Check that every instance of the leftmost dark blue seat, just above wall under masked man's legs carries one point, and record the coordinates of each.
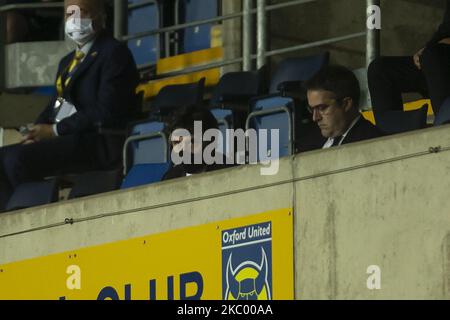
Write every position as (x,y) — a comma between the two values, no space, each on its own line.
(33,194)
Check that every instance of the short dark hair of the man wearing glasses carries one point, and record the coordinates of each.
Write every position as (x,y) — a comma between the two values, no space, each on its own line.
(337,79)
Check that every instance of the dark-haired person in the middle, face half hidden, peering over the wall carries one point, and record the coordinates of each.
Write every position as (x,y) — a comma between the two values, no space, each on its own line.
(183,138)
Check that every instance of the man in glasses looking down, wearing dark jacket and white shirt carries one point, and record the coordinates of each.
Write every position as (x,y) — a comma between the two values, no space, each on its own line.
(333,99)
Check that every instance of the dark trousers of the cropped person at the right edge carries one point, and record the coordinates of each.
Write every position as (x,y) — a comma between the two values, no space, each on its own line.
(389,77)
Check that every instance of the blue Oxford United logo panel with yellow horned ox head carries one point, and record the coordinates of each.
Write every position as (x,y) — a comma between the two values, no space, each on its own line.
(247,263)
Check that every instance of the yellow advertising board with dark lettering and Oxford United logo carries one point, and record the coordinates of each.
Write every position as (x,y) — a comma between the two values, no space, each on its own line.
(245,258)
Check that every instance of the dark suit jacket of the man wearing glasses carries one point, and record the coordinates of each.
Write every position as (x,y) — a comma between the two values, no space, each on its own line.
(362,130)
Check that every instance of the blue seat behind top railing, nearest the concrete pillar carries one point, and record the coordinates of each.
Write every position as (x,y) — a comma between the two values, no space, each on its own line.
(199,37)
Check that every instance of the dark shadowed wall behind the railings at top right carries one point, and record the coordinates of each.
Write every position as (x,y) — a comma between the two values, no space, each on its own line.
(406,26)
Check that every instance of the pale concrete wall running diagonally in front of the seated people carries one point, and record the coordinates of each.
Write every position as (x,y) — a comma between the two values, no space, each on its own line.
(383,202)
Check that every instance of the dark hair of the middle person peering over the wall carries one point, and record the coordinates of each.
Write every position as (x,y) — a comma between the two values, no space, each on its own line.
(185,118)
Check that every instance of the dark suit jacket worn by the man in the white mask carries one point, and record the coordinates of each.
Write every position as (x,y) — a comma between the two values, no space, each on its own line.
(102,89)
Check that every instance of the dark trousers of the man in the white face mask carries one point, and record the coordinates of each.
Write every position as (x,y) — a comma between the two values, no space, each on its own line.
(61,155)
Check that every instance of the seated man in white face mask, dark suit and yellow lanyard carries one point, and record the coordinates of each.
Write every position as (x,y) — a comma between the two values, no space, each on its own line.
(96,87)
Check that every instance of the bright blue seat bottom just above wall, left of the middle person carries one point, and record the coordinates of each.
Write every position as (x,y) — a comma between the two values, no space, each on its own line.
(143,174)
